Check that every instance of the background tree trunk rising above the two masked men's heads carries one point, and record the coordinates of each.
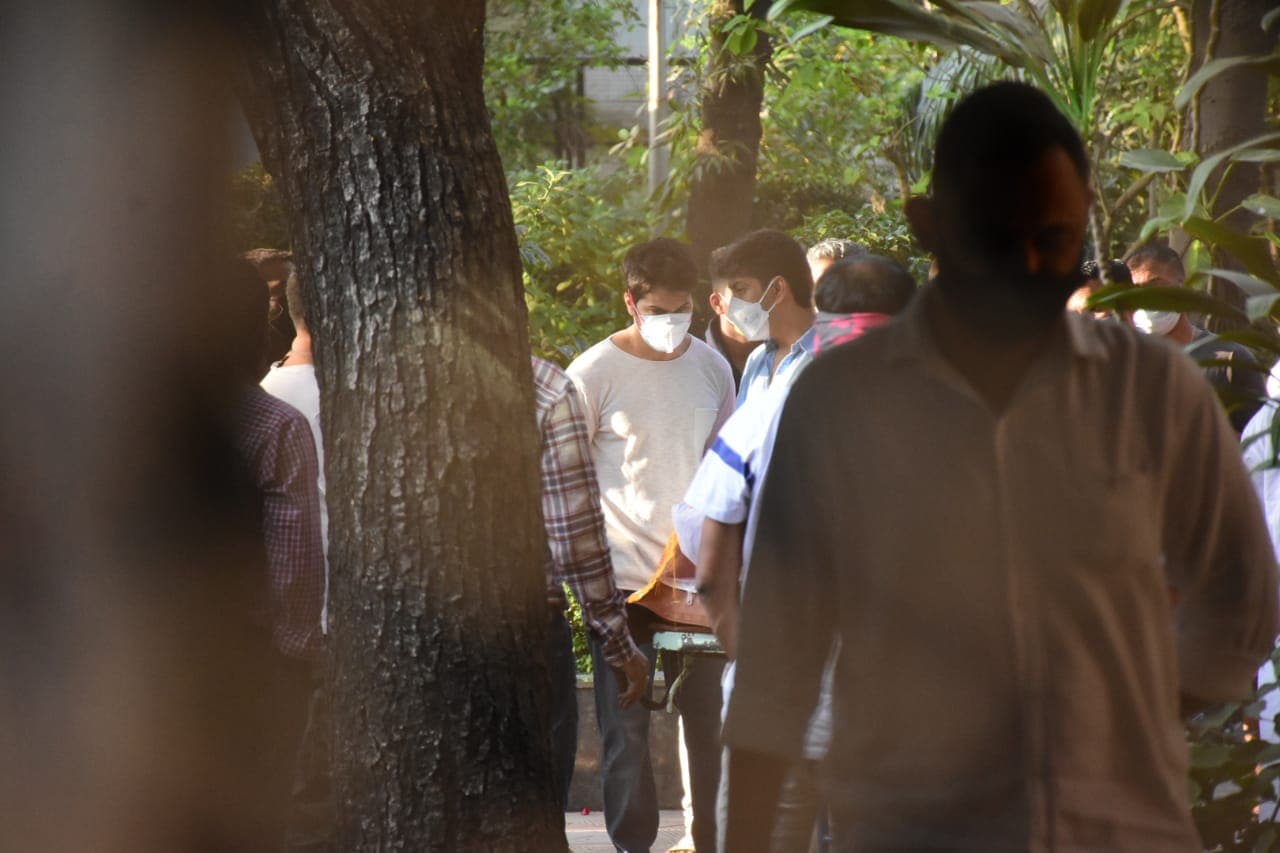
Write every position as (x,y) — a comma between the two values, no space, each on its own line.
(729,147)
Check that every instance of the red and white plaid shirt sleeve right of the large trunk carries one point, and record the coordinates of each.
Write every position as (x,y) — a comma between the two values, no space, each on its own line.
(575,523)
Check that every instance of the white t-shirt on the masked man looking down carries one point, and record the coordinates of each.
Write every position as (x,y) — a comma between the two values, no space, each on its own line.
(650,423)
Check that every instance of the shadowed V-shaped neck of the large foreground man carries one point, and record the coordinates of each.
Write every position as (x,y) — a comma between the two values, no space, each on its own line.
(994,366)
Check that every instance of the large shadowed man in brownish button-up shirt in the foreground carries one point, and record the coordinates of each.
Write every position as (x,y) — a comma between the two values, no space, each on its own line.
(1012,498)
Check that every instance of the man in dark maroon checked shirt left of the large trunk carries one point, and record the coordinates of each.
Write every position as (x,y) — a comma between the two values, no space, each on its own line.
(278,450)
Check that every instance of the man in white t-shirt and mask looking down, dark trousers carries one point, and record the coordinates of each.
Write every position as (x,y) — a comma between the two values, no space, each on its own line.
(655,399)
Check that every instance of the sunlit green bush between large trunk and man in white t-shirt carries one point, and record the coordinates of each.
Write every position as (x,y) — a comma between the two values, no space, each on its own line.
(575,227)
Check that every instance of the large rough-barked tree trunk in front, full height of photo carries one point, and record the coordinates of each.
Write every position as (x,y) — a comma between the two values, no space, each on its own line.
(372,116)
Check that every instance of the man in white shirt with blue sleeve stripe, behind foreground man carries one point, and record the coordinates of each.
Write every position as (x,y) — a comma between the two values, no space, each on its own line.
(853,297)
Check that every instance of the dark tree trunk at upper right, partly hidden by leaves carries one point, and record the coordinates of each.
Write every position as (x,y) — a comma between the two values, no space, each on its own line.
(1232,107)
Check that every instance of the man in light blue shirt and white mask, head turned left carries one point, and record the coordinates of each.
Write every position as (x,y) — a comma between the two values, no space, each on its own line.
(767,276)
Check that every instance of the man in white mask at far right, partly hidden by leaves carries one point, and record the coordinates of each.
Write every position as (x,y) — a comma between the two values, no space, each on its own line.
(1229,367)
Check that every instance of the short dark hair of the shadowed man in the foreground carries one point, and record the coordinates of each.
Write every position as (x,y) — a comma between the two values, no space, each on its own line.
(999,131)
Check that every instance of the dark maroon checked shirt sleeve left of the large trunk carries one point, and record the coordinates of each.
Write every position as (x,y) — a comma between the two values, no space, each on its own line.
(287,472)
